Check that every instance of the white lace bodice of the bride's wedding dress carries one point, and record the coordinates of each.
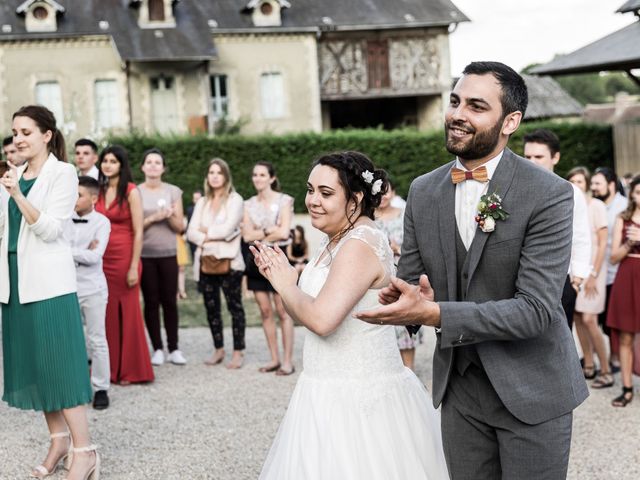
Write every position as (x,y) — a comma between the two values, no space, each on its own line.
(355,349)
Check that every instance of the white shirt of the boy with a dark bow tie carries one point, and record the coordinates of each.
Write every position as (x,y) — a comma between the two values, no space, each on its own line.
(89,274)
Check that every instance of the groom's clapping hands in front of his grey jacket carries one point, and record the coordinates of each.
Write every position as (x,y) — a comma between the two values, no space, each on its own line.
(413,306)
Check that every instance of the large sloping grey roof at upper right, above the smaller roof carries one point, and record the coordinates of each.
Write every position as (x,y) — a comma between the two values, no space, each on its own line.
(617,51)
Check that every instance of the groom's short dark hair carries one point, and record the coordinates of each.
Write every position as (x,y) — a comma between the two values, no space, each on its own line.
(514,90)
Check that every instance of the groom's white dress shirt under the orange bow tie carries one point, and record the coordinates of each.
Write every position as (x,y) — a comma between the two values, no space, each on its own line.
(468,195)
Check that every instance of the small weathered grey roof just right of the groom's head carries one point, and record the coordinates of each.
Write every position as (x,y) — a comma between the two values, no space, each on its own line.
(547,99)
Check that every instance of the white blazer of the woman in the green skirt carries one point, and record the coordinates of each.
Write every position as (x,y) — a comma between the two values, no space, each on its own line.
(45,263)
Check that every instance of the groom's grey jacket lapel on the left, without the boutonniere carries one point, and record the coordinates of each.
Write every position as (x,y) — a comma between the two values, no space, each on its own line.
(446,193)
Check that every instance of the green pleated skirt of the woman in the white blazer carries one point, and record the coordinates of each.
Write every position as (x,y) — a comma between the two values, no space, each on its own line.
(45,358)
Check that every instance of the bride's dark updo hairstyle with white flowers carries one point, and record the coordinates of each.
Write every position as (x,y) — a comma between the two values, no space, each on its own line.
(357,174)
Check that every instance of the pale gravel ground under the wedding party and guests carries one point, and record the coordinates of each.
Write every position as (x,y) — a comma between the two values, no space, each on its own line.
(199,422)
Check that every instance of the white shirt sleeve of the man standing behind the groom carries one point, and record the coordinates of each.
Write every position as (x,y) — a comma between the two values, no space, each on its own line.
(580,265)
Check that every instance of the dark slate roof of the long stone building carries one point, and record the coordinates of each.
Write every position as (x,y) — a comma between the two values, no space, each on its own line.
(196,20)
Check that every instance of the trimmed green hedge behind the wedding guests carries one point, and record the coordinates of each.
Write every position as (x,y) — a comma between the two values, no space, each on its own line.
(405,154)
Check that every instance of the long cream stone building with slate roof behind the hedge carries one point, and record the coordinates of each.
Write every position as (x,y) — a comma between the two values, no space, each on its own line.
(183,65)
